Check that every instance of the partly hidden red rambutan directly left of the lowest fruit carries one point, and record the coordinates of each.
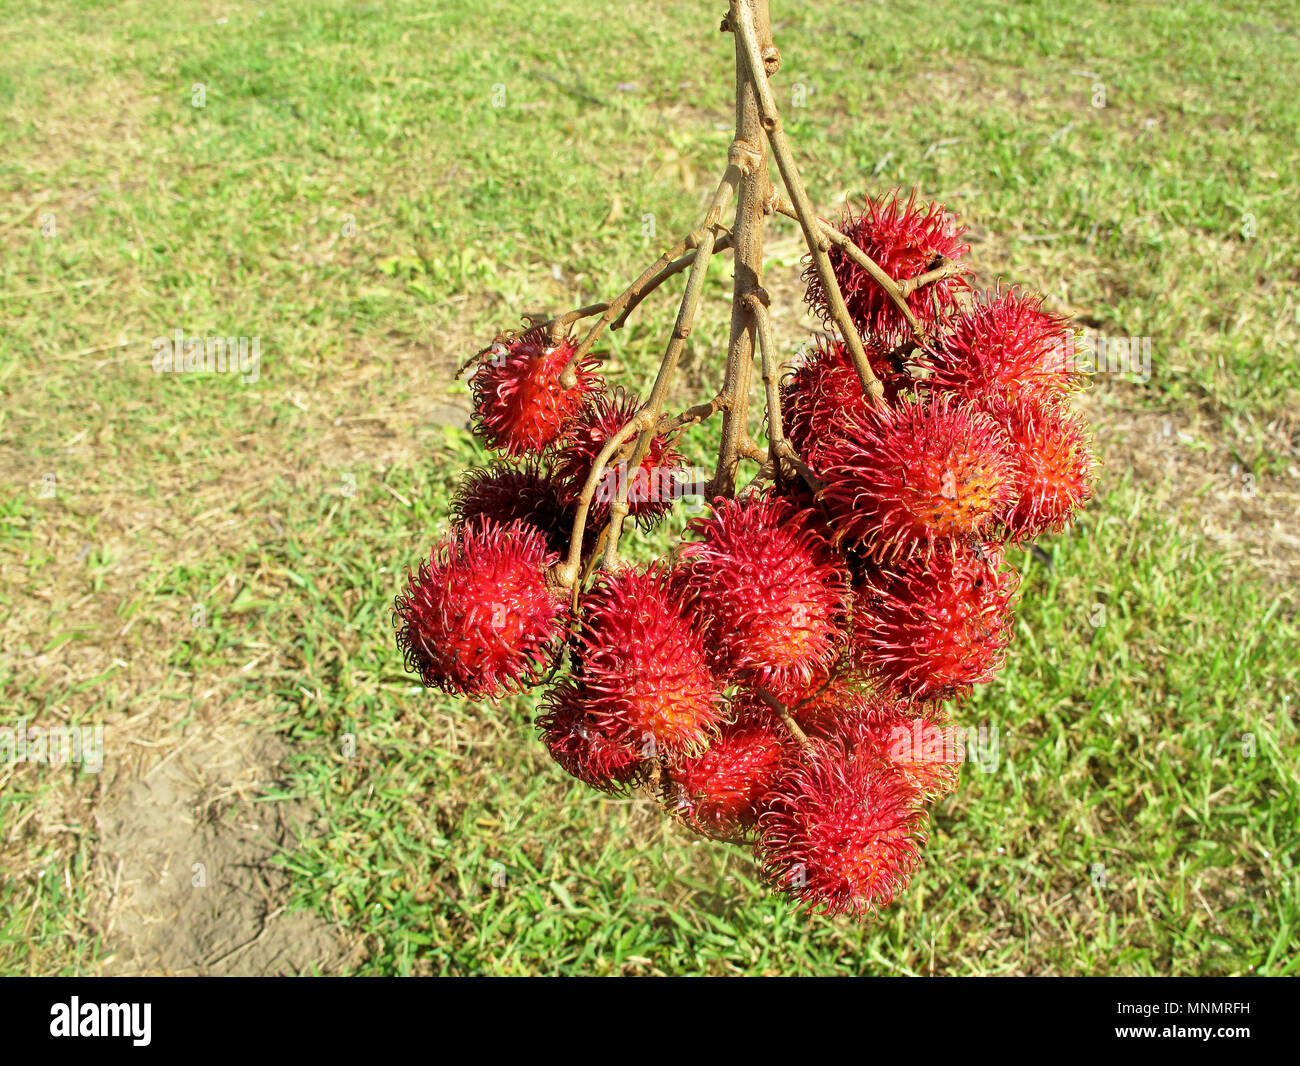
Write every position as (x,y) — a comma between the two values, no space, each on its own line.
(721,792)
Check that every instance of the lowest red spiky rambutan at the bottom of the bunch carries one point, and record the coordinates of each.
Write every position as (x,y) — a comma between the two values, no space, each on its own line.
(842,833)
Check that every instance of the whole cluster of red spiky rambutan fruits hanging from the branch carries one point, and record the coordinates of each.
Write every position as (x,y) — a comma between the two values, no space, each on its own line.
(786,681)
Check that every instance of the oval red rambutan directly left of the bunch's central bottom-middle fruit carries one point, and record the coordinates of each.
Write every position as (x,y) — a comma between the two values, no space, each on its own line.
(643,665)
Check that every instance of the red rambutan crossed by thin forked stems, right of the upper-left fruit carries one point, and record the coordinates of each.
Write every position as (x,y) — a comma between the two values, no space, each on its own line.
(651,489)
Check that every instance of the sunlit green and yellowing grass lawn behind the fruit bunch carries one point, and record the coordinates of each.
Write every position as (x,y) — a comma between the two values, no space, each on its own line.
(352,196)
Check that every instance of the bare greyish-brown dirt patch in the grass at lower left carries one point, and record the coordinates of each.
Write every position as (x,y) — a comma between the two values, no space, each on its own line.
(189,856)
